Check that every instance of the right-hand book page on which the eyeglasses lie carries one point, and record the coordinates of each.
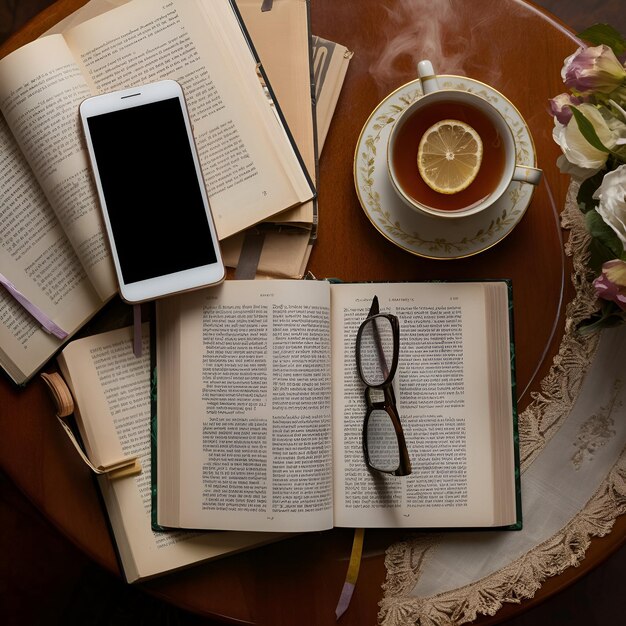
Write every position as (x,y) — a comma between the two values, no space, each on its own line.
(443,399)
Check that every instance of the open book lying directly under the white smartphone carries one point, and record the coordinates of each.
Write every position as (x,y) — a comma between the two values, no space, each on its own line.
(52,248)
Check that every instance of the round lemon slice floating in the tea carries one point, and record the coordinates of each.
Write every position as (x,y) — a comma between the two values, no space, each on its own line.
(449,156)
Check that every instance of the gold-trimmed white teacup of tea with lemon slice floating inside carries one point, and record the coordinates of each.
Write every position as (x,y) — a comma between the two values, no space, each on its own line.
(451,153)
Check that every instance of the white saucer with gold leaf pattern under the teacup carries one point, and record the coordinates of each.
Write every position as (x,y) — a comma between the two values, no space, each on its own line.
(420,234)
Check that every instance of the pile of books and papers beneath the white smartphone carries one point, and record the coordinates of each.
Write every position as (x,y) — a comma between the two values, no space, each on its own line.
(53,254)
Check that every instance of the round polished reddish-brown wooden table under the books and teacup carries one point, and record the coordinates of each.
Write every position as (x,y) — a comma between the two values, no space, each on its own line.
(519,50)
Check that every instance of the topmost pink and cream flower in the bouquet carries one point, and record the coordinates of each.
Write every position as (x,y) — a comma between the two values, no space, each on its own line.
(593,69)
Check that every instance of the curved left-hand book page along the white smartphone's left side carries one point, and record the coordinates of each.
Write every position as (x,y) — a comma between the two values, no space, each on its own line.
(40,90)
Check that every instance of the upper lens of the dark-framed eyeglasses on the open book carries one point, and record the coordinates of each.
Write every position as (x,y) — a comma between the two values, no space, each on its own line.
(376,350)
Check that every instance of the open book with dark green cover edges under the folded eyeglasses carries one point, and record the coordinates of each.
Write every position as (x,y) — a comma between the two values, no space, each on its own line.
(260,409)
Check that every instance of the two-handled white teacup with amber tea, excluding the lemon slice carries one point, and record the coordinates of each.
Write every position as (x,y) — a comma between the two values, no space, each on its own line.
(497,170)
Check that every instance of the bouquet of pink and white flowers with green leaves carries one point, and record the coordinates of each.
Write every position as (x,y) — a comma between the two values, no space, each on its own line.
(590,128)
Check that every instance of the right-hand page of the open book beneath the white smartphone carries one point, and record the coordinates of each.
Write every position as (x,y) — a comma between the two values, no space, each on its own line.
(250,168)
